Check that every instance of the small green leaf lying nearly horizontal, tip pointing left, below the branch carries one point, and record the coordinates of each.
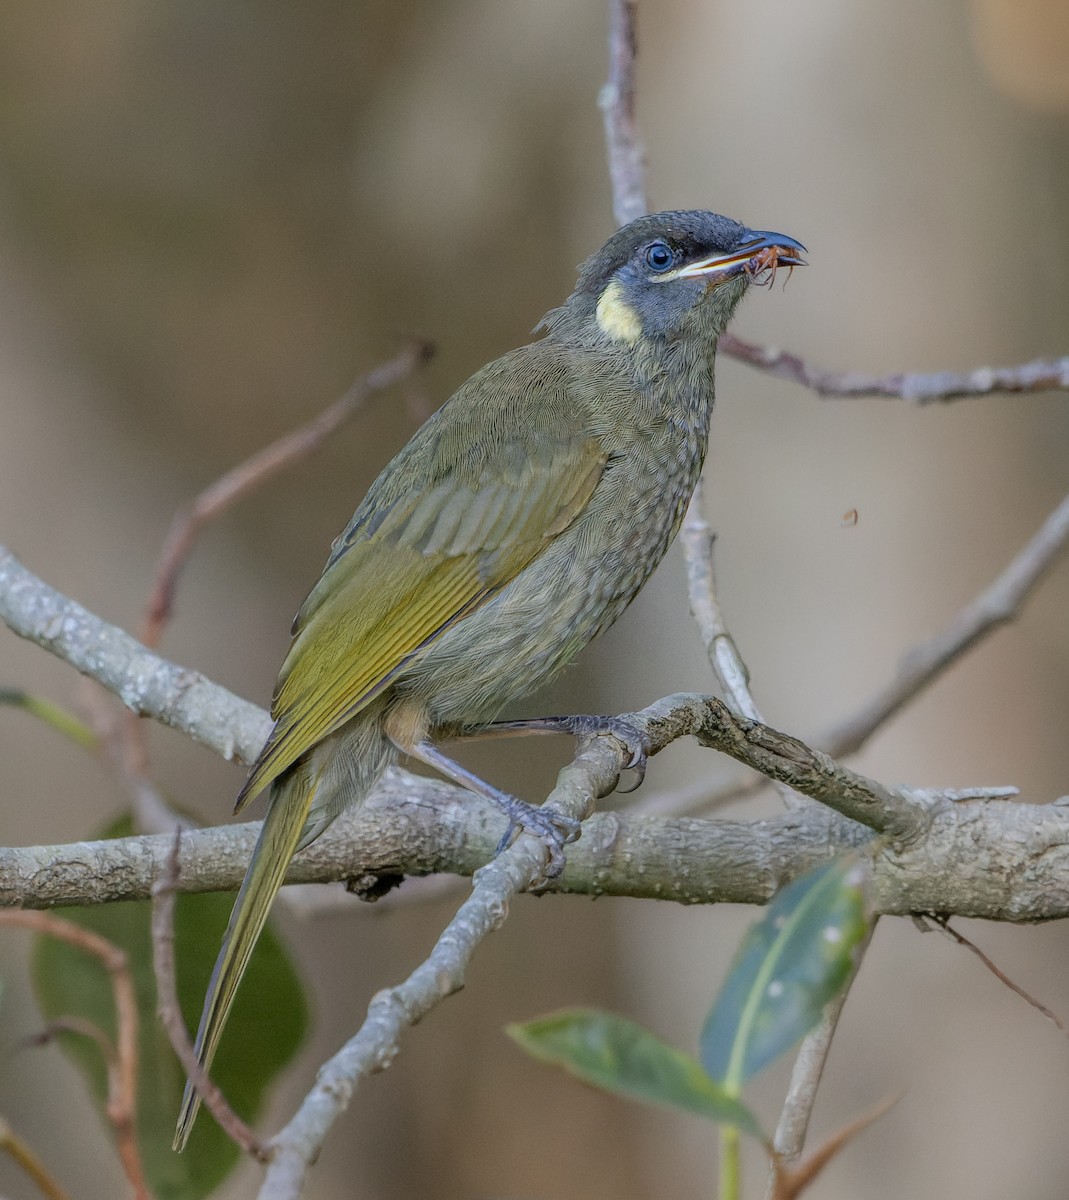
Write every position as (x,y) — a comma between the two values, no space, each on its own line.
(622,1058)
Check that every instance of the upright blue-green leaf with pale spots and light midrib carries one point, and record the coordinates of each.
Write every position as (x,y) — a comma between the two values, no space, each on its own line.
(788,969)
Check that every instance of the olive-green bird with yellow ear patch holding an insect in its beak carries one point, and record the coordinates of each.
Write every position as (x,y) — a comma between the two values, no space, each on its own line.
(515,526)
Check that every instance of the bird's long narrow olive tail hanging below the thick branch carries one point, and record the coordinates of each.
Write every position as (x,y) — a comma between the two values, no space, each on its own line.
(279,841)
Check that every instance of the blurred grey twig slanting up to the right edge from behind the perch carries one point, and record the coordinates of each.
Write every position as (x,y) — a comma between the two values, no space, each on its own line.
(996,605)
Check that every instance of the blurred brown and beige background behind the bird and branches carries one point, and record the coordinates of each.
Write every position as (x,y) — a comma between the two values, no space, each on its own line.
(213,217)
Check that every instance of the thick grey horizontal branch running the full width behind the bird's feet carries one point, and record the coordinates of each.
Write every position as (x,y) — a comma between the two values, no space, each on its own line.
(996,860)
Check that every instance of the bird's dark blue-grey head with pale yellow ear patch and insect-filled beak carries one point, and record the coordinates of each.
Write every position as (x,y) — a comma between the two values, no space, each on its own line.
(674,272)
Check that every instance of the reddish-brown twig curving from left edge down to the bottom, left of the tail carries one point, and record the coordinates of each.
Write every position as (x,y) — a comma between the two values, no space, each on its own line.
(122,1105)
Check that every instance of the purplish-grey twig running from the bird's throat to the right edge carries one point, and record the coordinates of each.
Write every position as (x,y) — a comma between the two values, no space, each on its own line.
(1042,375)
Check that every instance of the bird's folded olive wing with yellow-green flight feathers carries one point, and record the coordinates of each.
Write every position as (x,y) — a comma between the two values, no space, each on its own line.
(411,566)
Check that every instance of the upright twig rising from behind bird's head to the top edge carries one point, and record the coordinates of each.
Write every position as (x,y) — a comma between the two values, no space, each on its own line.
(627,159)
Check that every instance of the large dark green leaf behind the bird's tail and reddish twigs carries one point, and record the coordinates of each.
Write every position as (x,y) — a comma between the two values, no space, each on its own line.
(265,1031)
